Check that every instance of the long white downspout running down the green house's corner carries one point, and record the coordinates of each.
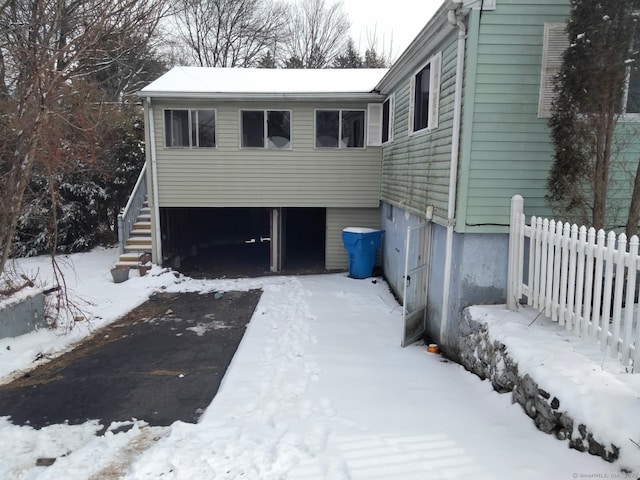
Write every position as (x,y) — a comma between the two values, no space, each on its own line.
(453,172)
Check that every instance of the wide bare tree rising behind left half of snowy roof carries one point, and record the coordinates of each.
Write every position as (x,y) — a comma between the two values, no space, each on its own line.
(229,33)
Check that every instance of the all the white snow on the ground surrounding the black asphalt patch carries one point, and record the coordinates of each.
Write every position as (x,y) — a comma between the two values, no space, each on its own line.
(319,389)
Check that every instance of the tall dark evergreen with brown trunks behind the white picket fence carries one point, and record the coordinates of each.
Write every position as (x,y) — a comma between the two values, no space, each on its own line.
(590,92)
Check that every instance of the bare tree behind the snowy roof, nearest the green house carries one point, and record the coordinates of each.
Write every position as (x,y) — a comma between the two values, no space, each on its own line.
(317,33)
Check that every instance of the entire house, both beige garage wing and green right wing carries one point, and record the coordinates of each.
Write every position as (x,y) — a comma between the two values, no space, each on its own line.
(431,151)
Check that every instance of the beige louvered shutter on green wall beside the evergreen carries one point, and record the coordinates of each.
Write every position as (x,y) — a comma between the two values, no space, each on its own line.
(555,43)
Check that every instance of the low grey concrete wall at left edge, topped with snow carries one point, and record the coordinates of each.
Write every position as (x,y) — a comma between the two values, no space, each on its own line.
(18,317)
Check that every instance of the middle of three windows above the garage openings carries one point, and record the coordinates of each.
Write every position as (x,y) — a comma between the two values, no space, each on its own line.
(266,129)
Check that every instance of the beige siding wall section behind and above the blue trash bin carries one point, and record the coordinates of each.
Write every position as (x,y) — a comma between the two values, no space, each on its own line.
(339,219)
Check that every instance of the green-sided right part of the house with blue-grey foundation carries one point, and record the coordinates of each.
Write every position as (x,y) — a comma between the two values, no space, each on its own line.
(456,174)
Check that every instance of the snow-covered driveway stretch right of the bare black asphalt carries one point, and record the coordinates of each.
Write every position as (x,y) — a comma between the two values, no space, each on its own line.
(321,389)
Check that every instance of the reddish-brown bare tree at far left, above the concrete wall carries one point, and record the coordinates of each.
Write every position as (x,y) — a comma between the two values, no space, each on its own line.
(50,54)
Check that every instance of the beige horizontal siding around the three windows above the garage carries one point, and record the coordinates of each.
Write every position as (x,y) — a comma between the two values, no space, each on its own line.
(231,176)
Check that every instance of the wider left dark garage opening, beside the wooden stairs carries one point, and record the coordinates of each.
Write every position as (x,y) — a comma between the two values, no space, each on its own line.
(216,242)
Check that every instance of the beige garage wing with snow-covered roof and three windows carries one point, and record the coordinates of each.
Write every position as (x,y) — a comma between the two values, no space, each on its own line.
(260,166)
